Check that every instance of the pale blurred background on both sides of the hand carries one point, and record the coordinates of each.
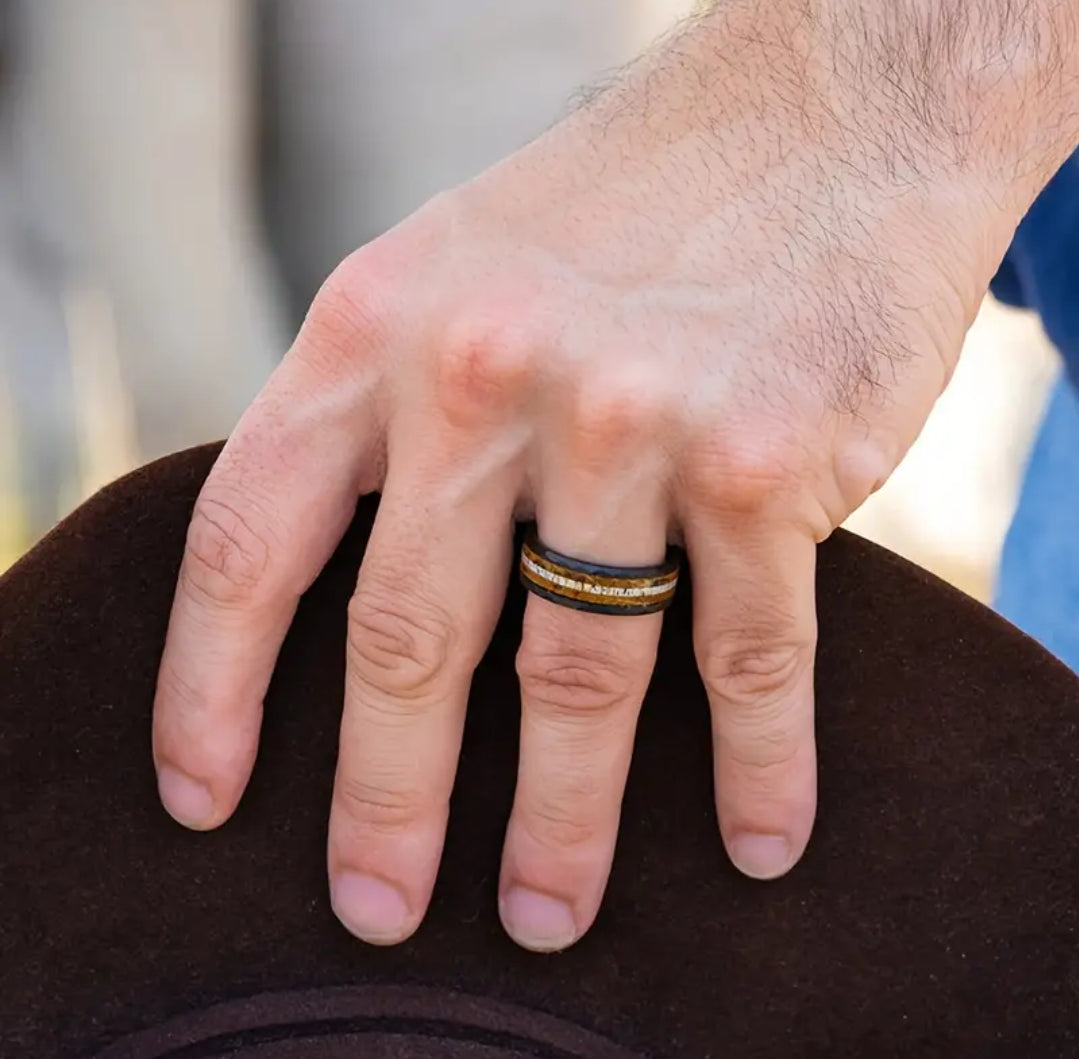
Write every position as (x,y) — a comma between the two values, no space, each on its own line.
(177,179)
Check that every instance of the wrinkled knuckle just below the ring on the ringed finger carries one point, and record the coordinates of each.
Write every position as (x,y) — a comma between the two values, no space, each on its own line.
(573,681)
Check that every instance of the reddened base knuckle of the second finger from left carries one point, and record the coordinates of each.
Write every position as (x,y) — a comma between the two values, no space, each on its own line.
(484,365)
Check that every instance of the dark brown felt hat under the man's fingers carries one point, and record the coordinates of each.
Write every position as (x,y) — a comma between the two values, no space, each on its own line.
(936,914)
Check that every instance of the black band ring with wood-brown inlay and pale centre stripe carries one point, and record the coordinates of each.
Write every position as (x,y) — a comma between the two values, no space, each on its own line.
(598,589)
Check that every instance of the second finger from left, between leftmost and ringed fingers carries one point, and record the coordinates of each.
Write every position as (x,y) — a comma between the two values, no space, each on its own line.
(430,592)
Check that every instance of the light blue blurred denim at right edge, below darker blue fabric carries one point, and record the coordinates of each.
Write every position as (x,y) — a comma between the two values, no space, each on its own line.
(1039,587)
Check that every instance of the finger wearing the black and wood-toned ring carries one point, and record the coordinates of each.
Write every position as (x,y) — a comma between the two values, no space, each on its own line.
(583,680)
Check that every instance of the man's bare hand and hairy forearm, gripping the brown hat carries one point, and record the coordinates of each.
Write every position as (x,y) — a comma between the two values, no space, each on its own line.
(714,307)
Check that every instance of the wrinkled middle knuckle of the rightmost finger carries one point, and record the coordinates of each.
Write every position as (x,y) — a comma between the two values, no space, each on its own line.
(753,676)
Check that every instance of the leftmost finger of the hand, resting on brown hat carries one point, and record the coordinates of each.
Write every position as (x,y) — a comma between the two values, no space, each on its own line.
(269,517)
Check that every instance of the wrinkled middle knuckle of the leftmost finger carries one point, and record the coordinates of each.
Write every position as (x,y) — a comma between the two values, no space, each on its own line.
(227,558)
